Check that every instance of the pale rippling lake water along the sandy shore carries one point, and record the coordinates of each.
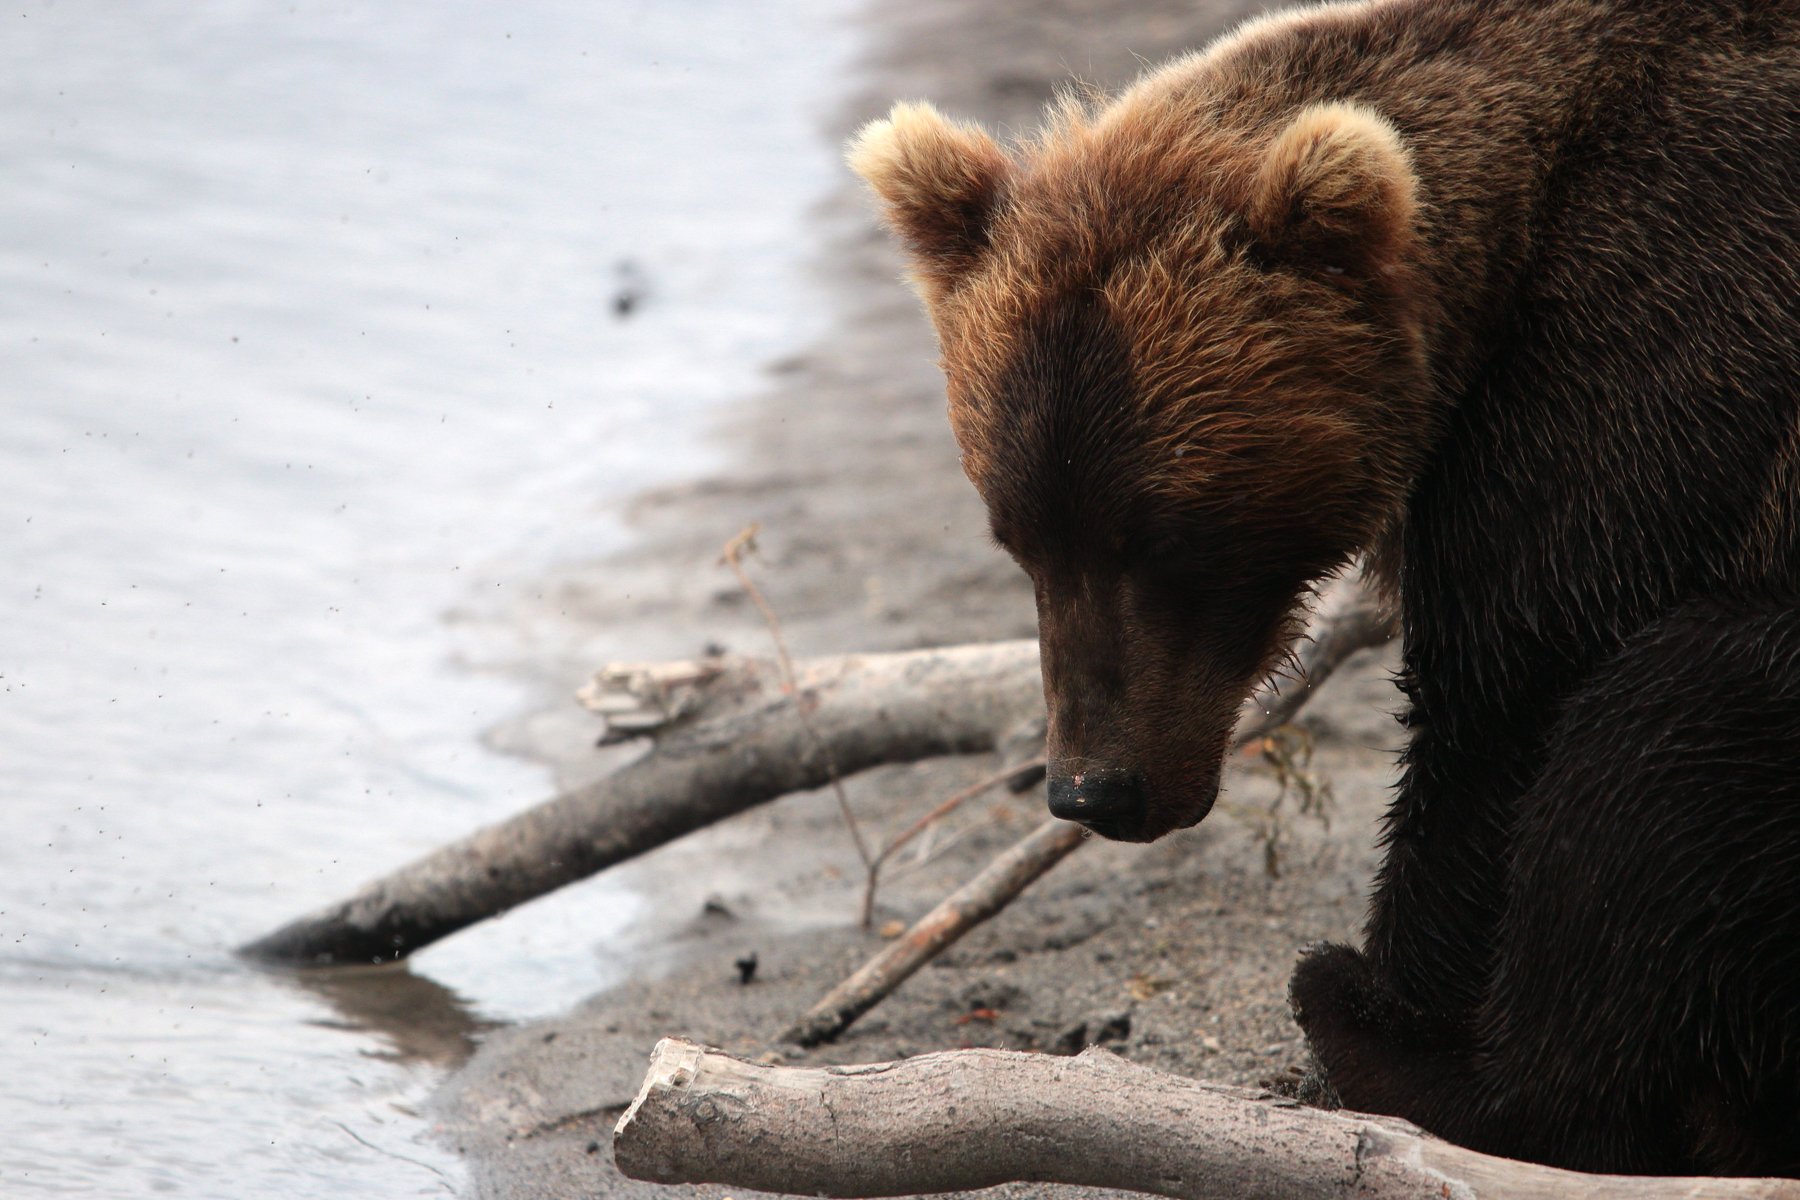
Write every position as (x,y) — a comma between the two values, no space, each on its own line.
(310,334)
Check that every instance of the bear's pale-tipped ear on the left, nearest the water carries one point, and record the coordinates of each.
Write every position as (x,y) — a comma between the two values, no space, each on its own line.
(939,183)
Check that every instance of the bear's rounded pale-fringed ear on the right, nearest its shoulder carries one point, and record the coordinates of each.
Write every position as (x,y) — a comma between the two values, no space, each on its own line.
(1336,195)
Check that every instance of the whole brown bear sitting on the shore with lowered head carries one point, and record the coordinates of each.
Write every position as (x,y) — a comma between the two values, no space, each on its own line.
(1506,298)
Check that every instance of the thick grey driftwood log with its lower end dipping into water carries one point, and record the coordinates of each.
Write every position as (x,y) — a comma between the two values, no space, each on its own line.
(744,746)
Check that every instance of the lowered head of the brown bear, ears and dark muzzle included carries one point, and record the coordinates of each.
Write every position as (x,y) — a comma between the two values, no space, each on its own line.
(1187,375)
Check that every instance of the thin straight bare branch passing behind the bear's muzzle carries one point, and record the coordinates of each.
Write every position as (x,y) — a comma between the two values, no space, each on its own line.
(1345,622)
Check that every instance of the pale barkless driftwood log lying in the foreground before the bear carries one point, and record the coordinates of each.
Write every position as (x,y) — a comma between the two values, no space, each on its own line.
(969,1120)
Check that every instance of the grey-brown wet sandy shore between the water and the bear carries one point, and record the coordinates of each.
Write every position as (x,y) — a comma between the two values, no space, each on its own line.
(1173,954)
